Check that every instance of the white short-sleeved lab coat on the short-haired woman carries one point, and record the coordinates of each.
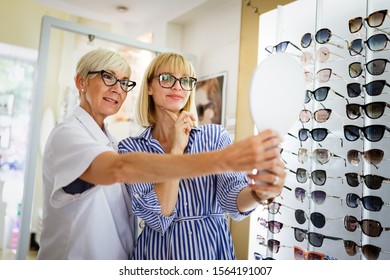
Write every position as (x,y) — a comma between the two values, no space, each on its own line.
(94,224)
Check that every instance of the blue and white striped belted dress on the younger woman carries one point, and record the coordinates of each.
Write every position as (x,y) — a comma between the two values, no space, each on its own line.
(197,229)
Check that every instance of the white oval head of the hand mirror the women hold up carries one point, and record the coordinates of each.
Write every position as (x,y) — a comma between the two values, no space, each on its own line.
(277,93)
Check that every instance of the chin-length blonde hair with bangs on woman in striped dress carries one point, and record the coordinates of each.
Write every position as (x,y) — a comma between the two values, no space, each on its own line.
(146,114)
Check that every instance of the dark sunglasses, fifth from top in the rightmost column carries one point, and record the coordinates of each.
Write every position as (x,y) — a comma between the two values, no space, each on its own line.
(373,110)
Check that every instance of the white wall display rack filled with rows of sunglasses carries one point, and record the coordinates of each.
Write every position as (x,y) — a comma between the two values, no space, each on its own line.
(336,200)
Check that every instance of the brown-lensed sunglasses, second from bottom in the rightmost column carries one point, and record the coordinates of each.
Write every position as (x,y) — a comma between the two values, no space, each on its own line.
(369,227)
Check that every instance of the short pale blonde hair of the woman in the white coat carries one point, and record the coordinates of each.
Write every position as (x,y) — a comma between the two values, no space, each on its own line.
(101,59)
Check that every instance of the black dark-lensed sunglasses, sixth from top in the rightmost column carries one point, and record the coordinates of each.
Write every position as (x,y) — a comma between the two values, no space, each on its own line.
(372,133)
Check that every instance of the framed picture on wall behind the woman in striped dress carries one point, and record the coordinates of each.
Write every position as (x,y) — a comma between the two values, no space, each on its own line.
(210,98)
